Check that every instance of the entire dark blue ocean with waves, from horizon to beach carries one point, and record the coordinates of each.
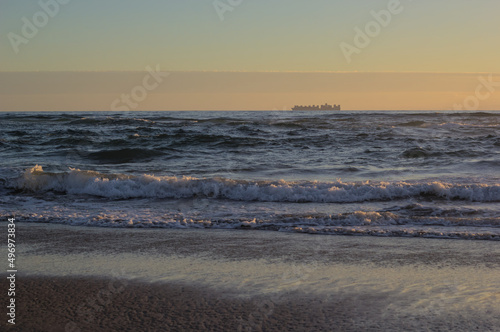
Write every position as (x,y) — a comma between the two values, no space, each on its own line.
(372,173)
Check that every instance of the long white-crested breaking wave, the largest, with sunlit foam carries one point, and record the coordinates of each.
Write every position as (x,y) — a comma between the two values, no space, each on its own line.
(121,186)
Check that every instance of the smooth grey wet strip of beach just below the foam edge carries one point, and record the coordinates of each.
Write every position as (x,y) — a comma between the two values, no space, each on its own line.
(238,244)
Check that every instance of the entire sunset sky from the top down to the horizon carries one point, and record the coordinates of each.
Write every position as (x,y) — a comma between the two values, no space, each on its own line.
(220,54)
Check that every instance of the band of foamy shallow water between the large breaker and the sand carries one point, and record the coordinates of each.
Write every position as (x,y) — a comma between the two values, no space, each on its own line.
(444,219)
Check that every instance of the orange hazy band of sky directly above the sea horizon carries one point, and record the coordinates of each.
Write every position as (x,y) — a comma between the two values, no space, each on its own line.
(59,91)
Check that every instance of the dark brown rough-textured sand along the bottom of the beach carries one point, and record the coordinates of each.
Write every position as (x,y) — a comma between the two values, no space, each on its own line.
(90,304)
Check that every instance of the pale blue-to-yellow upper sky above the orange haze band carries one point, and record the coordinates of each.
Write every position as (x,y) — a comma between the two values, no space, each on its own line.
(258,35)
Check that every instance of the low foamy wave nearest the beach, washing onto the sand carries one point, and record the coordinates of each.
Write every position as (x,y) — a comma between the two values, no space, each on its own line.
(355,223)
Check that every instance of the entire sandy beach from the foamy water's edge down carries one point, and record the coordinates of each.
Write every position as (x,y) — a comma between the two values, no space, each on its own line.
(100,279)
